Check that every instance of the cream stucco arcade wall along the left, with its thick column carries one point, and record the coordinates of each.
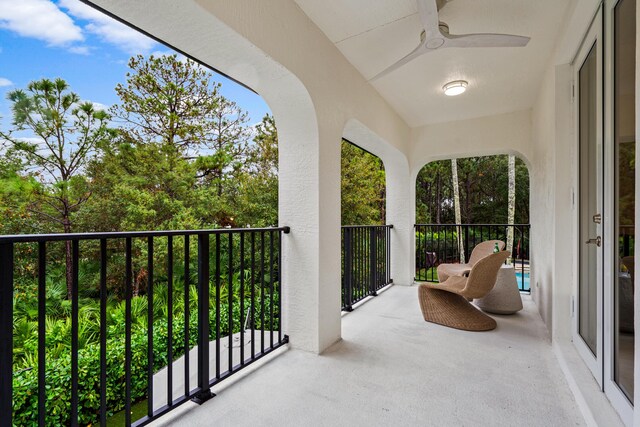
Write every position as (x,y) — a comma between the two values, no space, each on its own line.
(313,92)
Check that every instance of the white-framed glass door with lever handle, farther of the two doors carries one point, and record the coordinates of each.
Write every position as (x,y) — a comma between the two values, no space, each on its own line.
(588,100)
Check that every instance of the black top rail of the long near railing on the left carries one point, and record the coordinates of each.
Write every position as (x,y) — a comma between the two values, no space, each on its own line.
(35,238)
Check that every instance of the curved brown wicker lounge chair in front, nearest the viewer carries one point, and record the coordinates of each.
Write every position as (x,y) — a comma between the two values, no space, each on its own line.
(447,303)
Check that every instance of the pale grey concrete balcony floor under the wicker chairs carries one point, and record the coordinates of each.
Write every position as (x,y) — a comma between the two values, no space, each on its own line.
(393,368)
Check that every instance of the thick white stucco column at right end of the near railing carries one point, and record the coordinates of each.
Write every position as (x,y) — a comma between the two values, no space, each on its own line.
(309,203)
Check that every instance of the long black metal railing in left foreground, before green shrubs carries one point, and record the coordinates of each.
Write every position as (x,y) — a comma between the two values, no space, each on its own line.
(210,303)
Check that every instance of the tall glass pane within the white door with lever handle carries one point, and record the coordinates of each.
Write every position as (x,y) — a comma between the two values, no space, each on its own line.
(588,114)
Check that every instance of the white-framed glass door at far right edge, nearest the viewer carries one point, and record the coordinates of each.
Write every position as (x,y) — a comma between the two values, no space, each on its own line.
(620,144)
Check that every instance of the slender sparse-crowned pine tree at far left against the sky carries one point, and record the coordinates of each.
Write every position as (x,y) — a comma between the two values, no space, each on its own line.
(65,135)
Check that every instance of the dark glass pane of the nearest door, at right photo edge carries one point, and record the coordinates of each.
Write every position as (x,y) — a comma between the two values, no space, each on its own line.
(625,148)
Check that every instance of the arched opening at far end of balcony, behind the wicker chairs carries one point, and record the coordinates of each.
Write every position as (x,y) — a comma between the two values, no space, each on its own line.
(463,202)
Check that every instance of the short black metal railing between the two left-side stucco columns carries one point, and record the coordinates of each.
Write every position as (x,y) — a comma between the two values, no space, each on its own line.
(366,251)
